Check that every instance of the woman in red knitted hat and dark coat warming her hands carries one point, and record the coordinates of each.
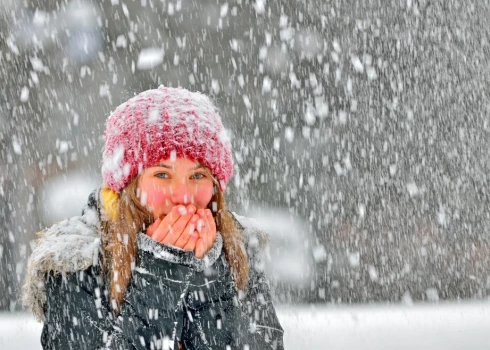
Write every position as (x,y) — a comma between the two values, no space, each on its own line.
(156,261)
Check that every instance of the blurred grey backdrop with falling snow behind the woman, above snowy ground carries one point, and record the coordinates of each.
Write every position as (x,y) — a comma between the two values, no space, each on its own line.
(364,124)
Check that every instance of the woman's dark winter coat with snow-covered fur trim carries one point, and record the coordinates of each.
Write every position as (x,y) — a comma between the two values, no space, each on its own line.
(172,295)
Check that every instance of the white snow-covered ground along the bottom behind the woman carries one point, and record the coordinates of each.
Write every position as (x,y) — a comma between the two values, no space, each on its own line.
(443,326)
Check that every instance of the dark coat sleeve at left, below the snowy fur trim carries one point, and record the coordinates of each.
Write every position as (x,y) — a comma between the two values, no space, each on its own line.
(77,315)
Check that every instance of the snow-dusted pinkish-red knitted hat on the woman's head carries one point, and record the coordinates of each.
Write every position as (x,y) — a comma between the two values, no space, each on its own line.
(160,124)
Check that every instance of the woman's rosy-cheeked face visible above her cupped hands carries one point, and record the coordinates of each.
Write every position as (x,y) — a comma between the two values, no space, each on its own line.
(175,182)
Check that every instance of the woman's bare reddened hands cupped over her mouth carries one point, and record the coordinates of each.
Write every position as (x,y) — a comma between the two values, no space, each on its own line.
(186,229)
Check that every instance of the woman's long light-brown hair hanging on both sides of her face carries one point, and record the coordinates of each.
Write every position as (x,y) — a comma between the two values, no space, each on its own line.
(124,217)
